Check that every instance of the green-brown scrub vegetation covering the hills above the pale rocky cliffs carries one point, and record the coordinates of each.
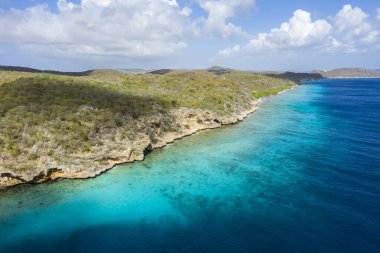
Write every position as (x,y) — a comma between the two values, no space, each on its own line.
(44,114)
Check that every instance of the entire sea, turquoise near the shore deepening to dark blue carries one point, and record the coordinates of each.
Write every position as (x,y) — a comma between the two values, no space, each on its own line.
(300,175)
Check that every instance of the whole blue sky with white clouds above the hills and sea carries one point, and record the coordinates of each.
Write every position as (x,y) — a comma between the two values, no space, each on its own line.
(261,35)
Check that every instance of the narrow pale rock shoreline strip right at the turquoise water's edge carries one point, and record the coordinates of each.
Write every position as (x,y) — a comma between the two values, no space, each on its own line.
(7,180)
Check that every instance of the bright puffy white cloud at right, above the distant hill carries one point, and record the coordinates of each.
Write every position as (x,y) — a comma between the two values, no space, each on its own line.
(349,31)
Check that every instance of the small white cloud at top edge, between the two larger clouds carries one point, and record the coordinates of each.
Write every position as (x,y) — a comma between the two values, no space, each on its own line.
(219,14)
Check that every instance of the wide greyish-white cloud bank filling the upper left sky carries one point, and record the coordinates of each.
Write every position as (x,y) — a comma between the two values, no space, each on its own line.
(132,28)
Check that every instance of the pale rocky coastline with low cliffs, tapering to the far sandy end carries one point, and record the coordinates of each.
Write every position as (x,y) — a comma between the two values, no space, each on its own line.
(187,117)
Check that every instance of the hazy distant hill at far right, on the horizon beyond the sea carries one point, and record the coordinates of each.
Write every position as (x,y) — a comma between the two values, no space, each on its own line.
(349,73)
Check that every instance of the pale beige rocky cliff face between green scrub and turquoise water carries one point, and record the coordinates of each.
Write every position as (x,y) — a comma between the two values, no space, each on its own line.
(116,150)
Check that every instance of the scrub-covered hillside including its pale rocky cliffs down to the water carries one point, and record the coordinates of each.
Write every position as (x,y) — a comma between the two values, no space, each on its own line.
(59,126)
